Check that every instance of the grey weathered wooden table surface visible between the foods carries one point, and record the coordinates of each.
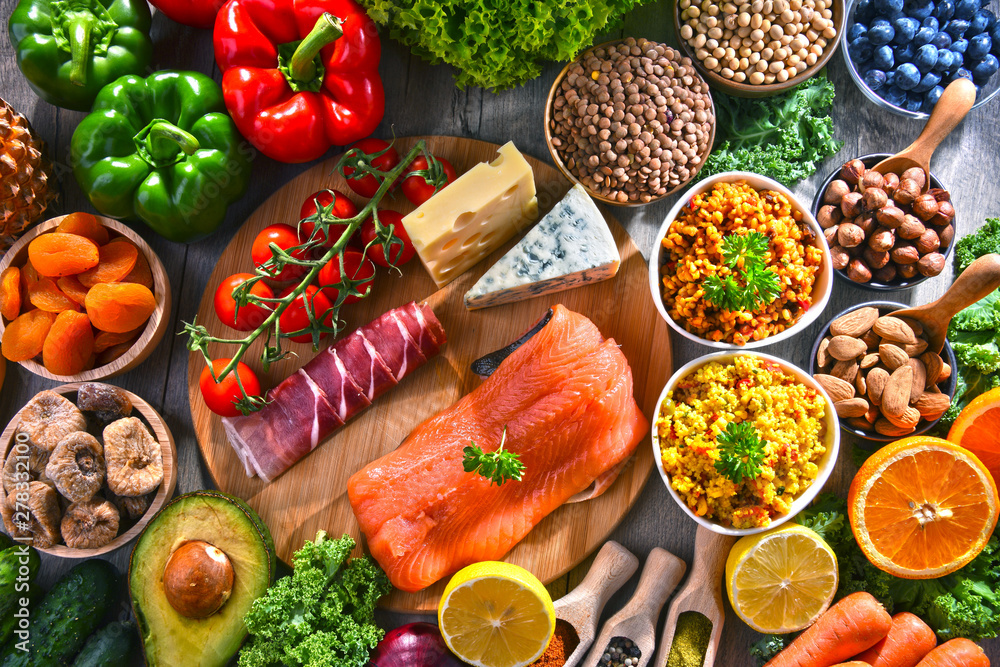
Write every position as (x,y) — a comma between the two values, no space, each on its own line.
(422,99)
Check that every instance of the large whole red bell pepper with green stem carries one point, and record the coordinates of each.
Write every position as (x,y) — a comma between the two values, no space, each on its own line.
(299,76)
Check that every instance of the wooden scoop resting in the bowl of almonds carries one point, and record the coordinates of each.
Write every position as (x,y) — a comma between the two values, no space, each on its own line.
(981,278)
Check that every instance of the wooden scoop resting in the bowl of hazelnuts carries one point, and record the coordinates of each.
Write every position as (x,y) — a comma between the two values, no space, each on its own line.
(956,101)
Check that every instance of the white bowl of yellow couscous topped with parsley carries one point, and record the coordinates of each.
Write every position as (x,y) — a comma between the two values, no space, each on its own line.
(744,441)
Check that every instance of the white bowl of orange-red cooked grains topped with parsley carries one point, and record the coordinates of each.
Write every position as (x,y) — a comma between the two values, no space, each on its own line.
(739,263)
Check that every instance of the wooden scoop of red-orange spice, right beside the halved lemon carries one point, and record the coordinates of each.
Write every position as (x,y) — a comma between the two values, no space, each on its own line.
(582,607)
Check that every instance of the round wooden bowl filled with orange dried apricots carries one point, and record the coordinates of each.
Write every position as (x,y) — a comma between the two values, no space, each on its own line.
(82,297)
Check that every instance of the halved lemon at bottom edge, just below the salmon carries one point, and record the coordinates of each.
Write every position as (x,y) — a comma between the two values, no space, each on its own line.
(496,615)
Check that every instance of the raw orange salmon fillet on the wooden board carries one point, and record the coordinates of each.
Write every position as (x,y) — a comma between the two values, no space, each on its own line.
(566,399)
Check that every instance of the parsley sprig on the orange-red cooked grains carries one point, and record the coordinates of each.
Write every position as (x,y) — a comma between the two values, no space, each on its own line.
(750,285)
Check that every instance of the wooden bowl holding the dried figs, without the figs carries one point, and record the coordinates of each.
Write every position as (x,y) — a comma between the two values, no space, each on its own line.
(158,428)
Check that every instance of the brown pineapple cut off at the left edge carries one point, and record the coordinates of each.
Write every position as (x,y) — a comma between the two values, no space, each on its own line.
(24,176)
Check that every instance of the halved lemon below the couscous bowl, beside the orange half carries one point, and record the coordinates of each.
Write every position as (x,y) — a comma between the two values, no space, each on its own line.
(782,580)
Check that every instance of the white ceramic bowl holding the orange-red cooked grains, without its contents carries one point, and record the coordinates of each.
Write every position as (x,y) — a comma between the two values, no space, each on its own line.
(824,279)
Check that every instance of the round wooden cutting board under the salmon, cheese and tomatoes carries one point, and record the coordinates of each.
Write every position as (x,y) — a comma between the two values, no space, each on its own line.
(313,494)
